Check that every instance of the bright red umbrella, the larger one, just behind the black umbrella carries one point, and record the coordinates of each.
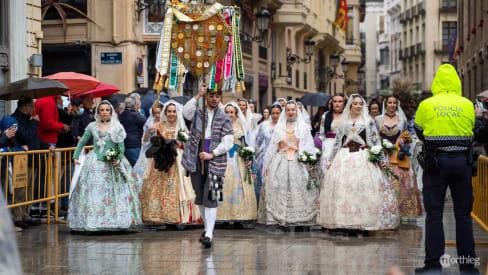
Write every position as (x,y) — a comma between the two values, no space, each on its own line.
(78,83)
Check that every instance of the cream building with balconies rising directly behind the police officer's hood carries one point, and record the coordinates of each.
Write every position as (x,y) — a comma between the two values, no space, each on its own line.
(427,28)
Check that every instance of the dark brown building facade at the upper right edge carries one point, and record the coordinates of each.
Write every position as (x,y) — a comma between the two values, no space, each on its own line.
(473,44)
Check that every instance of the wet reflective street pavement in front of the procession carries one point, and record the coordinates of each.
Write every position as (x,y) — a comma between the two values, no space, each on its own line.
(52,249)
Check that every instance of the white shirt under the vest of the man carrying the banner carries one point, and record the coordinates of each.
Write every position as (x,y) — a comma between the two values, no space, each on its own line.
(227,141)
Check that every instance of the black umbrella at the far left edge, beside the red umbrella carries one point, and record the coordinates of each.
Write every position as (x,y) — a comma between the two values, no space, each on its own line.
(33,88)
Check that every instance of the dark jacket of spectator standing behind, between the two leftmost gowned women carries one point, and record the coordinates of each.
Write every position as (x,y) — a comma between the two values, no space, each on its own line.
(133,124)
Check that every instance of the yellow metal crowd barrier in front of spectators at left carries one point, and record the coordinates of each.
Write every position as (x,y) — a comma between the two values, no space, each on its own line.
(27,178)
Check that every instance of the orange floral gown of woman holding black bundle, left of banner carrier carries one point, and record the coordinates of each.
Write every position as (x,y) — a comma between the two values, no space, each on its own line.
(167,197)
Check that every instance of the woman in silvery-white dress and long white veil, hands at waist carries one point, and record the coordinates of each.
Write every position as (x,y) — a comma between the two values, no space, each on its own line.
(285,199)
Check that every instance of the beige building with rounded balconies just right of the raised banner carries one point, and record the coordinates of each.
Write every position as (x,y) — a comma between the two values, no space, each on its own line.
(293,24)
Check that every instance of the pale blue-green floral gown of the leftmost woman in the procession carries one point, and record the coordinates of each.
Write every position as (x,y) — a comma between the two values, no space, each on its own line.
(106,196)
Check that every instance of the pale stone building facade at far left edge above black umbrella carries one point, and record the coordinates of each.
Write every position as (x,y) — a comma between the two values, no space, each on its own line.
(20,38)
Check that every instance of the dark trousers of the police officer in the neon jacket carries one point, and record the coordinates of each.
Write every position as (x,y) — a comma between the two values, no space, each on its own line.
(454,172)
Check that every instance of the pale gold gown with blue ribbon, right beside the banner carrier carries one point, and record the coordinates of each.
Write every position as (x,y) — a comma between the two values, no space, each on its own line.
(239,203)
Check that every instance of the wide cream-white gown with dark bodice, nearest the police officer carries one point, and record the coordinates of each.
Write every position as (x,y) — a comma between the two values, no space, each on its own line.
(356,194)
